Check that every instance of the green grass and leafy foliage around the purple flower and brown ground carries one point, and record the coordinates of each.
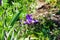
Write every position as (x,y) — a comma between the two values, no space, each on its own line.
(12,27)
